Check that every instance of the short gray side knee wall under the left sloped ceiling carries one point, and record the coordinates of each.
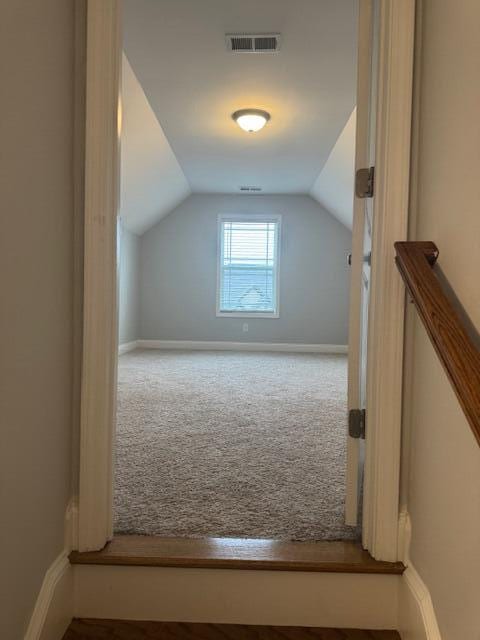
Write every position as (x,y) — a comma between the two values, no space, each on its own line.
(129,287)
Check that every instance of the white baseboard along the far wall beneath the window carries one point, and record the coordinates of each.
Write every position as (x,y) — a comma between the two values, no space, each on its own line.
(221,345)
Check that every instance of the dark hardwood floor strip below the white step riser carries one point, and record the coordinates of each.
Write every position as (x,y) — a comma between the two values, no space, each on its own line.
(87,629)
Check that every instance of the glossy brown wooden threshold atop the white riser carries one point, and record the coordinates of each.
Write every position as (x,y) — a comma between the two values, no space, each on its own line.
(237,553)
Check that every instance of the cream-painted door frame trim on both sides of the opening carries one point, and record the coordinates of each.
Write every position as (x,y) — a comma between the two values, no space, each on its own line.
(385,336)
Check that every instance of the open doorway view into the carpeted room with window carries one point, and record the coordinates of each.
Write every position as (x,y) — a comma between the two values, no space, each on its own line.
(234,281)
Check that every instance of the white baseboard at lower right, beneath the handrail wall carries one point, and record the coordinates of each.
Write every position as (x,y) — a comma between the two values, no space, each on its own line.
(417,619)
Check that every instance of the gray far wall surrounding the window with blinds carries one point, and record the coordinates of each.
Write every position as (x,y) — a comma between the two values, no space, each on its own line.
(179,266)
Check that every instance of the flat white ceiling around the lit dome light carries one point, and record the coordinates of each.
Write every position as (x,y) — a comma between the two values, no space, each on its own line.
(177,51)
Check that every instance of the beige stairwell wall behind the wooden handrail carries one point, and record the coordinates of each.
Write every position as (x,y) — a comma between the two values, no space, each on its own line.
(444,480)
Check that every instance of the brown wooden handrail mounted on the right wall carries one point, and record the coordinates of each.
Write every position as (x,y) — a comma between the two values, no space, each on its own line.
(450,334)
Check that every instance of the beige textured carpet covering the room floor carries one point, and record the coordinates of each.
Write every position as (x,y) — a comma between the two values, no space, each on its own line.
(232,444)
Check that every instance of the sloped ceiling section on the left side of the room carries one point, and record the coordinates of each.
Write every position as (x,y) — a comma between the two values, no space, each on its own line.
(152,181)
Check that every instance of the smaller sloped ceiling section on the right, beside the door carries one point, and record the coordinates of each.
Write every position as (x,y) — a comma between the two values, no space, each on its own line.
(333,188)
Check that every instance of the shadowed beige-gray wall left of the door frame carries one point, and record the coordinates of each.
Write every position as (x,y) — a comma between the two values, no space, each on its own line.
(36,272)
